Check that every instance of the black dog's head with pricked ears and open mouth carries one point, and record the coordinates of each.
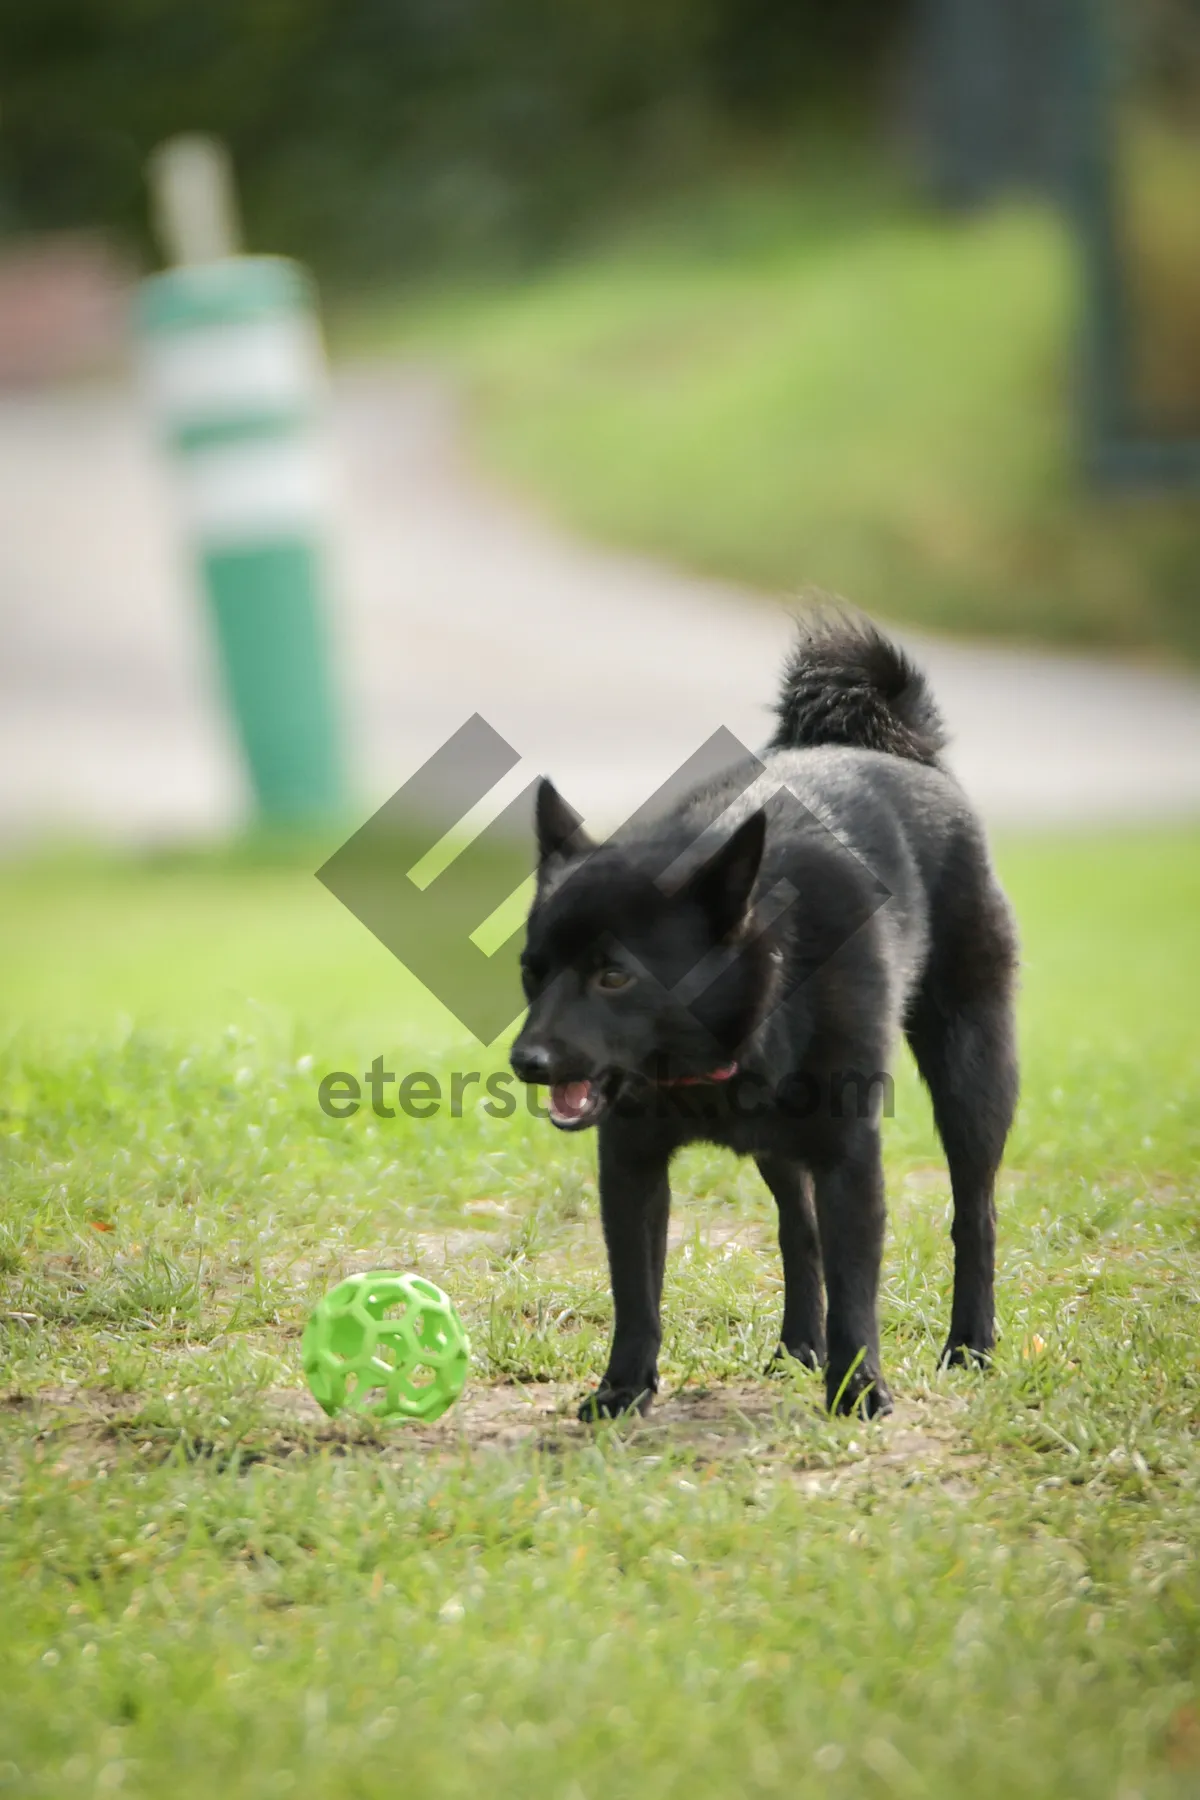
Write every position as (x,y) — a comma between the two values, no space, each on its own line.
(631,978)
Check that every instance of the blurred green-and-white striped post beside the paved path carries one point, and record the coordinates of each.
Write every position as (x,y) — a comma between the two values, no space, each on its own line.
(237,379)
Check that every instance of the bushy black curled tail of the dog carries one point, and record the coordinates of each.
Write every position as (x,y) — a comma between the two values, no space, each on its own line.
(846,683)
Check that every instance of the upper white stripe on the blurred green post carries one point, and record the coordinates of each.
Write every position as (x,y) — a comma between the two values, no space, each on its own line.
(224,372)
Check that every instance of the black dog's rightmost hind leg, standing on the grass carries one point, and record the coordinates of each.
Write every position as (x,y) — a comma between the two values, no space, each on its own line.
(969,1063)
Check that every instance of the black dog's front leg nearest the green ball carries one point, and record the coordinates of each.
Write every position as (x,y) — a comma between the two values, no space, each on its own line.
(636,1203)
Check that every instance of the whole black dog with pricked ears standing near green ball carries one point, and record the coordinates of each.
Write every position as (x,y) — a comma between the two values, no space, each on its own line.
(742,993)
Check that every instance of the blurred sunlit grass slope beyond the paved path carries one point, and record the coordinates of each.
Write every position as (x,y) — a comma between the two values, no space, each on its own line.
(821,386)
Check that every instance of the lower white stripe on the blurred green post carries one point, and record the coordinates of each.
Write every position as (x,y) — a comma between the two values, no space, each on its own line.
(255,490)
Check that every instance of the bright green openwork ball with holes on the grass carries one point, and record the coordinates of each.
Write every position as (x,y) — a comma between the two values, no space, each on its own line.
(386,1345)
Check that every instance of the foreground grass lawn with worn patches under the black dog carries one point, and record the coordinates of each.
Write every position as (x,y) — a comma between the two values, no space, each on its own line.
(210,1588)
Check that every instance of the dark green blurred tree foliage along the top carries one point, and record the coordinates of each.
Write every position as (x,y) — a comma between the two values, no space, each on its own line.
(373,136)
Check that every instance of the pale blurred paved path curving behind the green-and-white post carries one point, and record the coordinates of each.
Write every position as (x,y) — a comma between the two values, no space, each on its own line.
(602,669)
